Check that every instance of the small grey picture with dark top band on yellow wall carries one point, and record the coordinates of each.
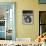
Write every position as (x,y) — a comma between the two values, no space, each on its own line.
(27,17)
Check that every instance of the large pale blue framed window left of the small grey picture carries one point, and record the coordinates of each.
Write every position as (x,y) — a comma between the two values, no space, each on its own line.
(7,20)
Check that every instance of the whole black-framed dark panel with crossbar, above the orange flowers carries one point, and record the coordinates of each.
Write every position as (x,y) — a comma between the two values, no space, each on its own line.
(42,22)
